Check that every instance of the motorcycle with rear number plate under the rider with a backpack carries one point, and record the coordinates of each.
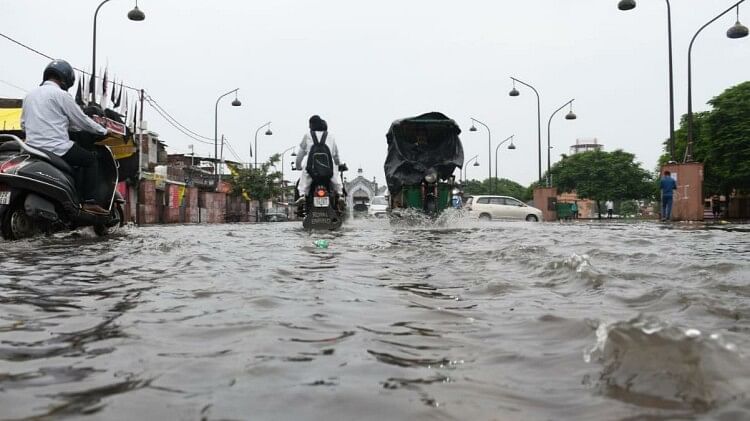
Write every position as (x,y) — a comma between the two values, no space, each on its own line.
(323,209)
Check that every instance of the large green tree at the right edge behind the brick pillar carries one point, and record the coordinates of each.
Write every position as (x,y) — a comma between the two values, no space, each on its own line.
(721,141)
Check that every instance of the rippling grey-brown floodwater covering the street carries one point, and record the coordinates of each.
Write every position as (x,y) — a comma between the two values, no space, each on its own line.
(465,321)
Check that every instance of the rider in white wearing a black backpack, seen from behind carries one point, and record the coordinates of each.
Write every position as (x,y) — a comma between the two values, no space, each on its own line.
(322,158)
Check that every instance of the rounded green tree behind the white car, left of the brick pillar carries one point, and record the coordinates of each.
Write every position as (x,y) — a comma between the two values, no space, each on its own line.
(600,176)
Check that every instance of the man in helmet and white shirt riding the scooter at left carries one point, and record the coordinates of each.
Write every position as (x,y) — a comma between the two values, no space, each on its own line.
(48,113)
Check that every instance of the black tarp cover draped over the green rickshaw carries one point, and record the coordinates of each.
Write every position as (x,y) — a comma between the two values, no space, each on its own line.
(417,144)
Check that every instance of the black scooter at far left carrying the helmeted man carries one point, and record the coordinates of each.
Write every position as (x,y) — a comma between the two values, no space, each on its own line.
(38,193)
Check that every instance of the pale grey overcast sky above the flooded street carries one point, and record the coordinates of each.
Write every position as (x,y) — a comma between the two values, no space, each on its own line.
(361,65)
